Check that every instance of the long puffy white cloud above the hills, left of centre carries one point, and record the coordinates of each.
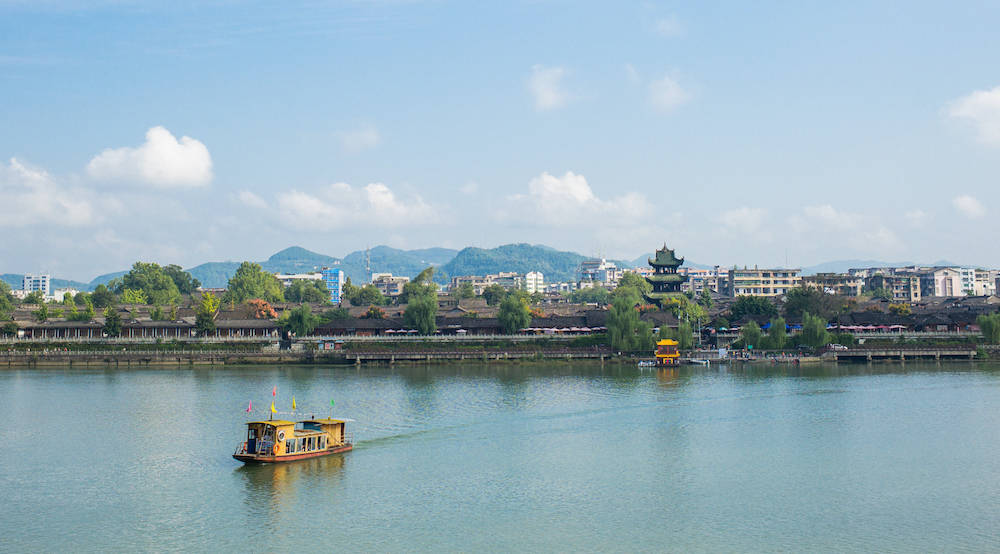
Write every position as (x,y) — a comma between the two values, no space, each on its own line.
(340,205)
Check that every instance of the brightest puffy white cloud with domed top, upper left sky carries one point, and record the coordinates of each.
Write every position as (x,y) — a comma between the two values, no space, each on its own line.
(161,161)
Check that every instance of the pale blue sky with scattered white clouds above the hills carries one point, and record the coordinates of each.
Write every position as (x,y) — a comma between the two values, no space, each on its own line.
(766,133)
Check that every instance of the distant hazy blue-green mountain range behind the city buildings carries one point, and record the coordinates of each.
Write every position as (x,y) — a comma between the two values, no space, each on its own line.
(556,265)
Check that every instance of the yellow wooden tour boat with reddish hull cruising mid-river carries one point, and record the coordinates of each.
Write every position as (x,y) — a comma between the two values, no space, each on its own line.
(278,440)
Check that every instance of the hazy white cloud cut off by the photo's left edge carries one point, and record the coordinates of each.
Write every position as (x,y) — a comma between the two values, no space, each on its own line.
(31,196)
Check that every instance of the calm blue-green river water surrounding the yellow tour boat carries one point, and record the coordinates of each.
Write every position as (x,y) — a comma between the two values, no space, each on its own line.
(509,458)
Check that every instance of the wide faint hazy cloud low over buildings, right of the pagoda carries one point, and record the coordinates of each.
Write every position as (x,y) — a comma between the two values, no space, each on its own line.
(832,228)
